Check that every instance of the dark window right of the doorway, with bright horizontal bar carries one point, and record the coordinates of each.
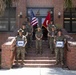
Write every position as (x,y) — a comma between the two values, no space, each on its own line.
(70,20)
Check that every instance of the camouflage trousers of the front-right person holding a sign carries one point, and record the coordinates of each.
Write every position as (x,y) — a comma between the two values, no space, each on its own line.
(59,54)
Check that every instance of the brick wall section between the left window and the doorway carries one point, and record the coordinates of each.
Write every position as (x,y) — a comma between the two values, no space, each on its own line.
(21,7)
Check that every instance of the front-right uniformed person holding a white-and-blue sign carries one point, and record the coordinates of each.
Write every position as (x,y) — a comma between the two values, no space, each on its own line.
(59,43)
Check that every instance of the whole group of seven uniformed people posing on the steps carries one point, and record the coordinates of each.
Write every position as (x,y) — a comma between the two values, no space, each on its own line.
(56,41)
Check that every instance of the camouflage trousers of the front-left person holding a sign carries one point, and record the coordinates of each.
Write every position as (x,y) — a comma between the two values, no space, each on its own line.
(20,50)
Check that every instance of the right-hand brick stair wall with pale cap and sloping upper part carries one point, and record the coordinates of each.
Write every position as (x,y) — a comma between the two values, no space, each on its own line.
(70,56)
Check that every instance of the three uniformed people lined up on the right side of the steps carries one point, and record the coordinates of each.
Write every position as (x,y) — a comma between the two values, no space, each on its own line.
(56,42)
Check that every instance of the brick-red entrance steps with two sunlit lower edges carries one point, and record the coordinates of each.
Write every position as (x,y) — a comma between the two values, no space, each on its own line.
(37,60)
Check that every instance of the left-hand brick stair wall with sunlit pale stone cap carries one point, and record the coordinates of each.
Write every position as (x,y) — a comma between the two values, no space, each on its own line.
(8,53)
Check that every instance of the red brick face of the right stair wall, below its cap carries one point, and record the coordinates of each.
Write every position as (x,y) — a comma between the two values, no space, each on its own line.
(71,57)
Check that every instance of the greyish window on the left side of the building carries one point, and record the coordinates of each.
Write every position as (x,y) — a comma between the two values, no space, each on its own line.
(8,20)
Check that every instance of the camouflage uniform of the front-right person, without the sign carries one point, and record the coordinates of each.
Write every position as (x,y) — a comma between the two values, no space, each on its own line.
(59,51)
